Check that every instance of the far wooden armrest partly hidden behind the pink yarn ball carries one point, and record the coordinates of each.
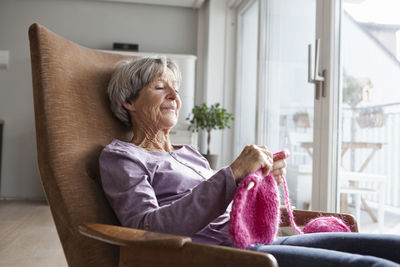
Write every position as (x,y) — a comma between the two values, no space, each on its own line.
(302,217)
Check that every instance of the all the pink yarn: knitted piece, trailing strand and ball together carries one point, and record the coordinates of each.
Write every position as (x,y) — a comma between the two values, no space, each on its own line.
(255,214)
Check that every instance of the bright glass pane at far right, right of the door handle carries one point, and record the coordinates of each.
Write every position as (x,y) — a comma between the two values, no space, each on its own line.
(369,173)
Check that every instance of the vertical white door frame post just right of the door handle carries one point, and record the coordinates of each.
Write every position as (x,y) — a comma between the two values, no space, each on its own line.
(325,155)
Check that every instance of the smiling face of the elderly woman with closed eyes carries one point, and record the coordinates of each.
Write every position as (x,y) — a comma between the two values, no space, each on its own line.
(158,103)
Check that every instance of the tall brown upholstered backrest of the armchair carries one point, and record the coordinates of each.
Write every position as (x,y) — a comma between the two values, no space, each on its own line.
(73,124)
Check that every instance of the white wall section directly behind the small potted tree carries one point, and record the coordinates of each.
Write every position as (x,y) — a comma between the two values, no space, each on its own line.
(215,82)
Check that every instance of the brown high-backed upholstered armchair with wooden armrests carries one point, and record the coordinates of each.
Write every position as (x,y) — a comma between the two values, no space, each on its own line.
(73,124)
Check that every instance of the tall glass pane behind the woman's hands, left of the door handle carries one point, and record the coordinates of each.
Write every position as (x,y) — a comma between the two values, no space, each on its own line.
(286,98)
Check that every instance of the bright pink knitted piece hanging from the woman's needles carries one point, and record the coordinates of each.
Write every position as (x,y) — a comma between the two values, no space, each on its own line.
(255,213)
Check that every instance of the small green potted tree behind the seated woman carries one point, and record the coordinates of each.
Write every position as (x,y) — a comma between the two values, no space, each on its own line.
(209,118)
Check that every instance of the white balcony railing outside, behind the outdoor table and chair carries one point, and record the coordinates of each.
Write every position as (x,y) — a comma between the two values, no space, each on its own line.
(384,162)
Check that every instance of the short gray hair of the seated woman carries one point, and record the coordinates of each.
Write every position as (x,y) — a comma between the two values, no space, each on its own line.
(131,76)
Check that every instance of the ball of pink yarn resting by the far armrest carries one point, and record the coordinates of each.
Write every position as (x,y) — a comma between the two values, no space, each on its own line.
(325,224)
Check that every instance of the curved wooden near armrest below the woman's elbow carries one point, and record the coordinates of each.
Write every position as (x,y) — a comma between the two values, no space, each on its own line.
(124,236)
